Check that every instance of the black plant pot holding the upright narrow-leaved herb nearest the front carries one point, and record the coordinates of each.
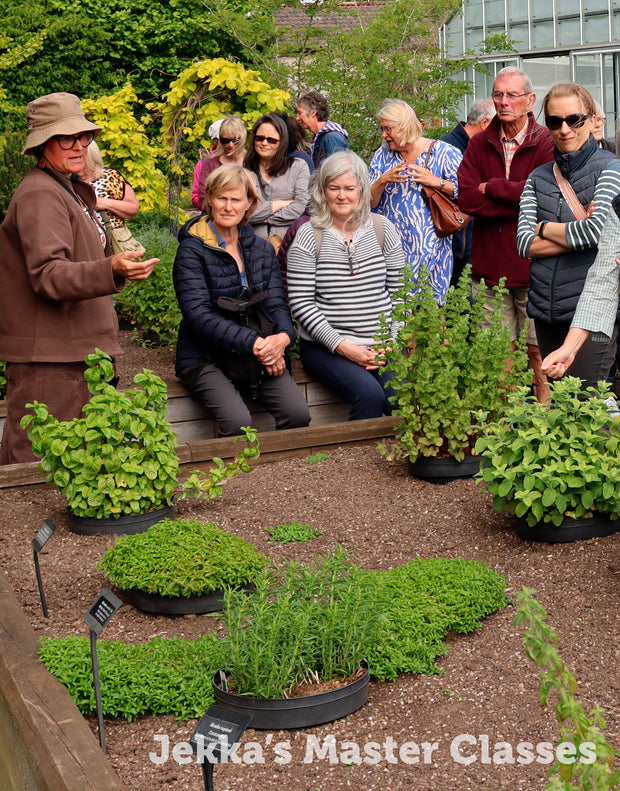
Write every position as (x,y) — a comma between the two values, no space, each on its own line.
(286,713)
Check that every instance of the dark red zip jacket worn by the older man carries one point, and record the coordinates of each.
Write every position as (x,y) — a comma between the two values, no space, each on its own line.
(494,251)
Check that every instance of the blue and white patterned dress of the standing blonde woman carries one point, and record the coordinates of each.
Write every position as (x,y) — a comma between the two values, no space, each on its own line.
(405,205)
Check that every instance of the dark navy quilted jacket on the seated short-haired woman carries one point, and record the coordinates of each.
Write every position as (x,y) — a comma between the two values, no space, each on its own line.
(203,272)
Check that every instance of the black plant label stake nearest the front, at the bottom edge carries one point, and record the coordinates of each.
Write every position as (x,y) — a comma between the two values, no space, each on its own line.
(219,729)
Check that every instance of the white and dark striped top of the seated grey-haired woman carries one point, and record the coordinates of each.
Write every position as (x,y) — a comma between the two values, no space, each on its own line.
(340,294)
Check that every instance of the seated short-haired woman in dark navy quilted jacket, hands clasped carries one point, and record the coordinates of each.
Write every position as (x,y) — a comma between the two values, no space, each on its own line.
(236,324)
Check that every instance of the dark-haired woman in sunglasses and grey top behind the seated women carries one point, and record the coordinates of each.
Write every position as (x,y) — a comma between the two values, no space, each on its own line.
(281,180)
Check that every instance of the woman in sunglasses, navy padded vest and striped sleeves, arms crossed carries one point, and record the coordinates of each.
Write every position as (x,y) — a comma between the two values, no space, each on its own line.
(563,209)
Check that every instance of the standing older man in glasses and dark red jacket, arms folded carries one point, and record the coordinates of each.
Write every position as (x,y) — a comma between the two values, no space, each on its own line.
(491,177)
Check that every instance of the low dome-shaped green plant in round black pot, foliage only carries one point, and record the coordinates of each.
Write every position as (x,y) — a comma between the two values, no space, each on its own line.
(181,557)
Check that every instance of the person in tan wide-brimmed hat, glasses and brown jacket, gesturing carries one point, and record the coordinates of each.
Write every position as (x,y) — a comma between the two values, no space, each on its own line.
(57,274)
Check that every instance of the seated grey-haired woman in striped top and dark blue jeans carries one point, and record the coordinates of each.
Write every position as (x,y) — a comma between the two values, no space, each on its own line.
(343,269)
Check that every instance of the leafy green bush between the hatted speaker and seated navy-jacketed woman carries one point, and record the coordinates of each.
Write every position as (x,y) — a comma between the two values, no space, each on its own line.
(152,303)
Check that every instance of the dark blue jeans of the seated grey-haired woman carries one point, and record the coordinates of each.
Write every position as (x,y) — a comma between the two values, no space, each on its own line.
(363,389)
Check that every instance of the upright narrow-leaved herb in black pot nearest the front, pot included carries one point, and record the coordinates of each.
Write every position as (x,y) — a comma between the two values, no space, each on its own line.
(304,630)
